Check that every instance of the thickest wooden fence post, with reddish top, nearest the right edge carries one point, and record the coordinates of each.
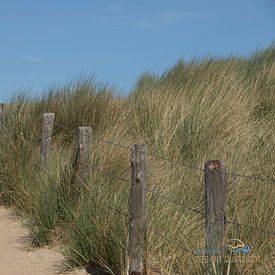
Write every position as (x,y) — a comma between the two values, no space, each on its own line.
(215,213)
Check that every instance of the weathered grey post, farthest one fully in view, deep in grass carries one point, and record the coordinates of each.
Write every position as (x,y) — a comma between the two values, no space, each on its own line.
(48,119)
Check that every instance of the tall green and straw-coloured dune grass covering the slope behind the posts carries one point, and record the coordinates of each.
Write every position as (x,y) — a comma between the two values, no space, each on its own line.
(206,109)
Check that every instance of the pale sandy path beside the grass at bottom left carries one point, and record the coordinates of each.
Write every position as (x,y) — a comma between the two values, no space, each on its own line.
(16,259)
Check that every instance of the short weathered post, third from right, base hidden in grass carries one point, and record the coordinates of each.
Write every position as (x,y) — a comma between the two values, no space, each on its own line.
(82,157)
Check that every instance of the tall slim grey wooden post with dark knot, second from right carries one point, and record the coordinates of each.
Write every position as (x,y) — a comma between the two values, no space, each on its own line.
(137,218)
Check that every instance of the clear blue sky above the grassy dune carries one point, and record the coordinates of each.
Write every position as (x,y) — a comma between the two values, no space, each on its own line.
(51,42)
